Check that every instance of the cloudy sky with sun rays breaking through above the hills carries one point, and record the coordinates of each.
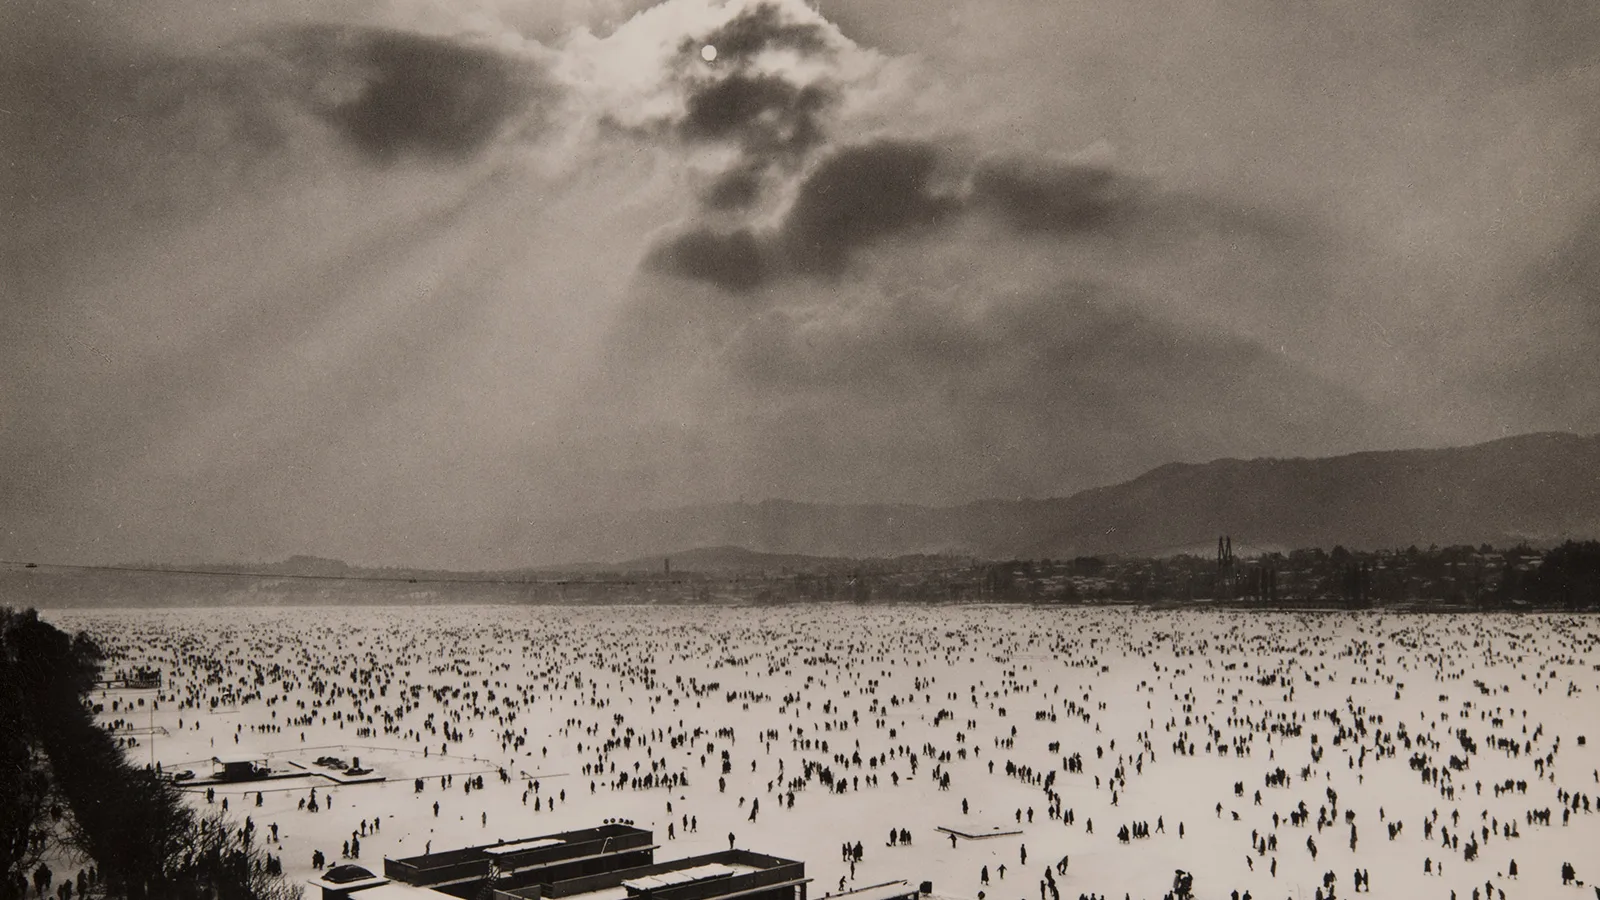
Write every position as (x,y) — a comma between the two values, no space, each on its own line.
(390,279)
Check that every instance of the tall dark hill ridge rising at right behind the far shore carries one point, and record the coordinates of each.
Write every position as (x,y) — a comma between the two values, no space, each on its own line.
(1537,488)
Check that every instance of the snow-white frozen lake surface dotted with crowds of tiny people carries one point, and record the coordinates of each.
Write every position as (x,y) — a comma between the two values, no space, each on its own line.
(1361,713)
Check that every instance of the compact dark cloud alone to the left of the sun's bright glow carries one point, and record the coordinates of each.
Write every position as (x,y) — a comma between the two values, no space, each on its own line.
(430,97)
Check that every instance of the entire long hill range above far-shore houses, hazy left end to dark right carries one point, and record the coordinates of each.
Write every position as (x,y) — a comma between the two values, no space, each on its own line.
(1537,488)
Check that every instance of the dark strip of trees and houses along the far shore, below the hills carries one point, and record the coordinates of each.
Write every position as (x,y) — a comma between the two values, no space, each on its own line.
(1473,577)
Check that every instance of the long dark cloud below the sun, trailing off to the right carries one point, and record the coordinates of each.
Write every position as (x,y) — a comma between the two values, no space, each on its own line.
(865,193)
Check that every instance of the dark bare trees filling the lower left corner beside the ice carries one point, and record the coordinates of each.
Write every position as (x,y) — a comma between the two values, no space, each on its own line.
(70,792)
